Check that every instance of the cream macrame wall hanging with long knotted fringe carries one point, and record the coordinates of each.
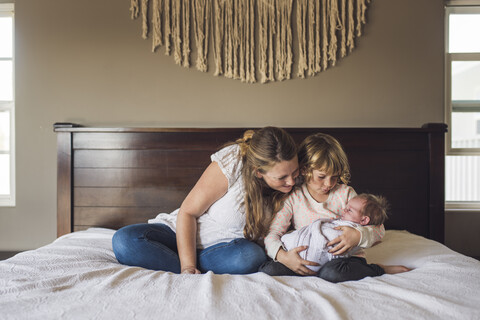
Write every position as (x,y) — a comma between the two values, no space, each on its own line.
(254,38)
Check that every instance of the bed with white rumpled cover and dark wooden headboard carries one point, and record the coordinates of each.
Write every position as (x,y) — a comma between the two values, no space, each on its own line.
(111,177)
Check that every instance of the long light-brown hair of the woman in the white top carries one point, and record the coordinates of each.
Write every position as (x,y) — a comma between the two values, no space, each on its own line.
(260,151)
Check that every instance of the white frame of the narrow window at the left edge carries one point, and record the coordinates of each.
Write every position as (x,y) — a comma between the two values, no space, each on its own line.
(7,9)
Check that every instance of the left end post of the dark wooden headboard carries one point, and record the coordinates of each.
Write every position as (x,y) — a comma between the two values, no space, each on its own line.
(64,179)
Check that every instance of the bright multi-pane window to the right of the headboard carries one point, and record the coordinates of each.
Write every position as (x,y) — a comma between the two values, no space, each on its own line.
(462,99)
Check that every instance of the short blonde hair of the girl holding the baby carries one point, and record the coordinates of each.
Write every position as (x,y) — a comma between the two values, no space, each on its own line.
(323,152)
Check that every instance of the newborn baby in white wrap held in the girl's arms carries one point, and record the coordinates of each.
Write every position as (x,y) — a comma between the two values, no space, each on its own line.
(363,209)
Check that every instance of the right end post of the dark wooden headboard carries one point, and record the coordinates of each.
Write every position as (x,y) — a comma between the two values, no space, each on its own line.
(437,180)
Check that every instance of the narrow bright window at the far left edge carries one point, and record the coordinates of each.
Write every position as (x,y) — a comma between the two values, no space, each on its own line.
(7,107)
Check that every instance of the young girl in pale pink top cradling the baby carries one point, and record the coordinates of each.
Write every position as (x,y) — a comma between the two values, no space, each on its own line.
(324,193)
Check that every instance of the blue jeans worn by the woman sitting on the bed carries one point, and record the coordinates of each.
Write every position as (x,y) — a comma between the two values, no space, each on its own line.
(154,246)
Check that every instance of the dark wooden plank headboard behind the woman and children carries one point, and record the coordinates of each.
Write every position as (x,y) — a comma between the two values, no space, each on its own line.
(112,177)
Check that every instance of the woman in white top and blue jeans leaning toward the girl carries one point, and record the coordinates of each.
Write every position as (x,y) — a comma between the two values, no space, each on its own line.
(228,209)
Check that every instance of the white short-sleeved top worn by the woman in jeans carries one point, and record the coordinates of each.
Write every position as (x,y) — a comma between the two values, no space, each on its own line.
(225,219)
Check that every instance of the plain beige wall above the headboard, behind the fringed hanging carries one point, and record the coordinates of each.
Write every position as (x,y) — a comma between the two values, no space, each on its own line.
(84,61)
